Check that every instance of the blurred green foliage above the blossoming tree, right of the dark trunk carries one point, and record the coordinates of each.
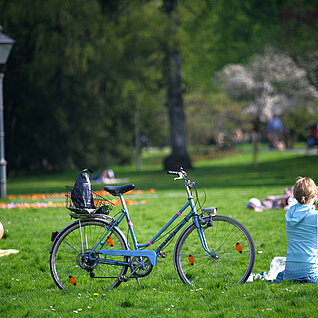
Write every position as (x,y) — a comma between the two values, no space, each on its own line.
(220,32)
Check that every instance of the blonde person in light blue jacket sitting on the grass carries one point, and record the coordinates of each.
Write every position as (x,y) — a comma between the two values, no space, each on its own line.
(301,228)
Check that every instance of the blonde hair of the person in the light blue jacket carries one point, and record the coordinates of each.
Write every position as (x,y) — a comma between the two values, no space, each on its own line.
(305,190)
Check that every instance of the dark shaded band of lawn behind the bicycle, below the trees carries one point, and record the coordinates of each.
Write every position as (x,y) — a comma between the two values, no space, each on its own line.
(236,172)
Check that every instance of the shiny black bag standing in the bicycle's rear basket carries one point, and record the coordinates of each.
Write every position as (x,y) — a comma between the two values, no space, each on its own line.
(81,194)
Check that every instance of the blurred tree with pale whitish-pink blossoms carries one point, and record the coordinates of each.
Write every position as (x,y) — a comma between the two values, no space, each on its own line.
(270,83)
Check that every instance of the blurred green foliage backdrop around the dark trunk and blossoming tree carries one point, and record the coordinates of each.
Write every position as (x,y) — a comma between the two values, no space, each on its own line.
(81,70)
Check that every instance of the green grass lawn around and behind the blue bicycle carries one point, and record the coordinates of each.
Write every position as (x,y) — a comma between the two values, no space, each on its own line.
(27,289)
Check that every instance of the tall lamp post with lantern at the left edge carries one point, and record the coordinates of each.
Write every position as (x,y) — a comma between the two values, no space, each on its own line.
(5,47)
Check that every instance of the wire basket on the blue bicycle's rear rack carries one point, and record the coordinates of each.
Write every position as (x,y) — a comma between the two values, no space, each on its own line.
(96,205)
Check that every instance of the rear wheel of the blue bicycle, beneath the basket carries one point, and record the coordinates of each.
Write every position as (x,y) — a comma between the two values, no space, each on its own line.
(66,262)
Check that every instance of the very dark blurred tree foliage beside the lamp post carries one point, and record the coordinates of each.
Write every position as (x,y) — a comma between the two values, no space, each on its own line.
(58,84)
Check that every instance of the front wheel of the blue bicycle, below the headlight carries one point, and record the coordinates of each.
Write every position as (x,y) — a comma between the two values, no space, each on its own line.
(229,240)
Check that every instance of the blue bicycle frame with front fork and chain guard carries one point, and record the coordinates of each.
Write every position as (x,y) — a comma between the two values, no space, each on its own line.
(152,255)
